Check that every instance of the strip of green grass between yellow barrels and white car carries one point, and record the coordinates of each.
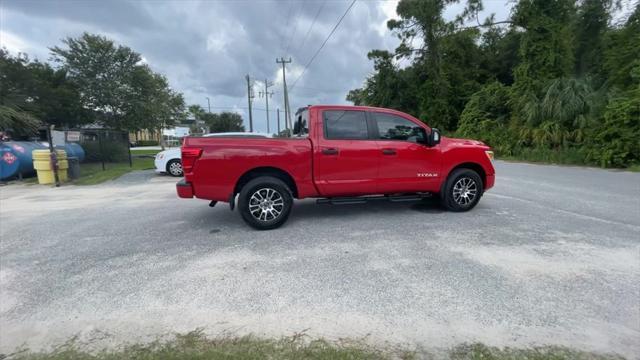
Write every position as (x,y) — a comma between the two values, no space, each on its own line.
(92,173)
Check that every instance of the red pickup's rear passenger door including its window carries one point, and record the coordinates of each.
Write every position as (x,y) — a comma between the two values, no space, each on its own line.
(346,159)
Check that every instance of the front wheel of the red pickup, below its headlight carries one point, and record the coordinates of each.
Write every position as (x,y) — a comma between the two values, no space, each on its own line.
(462,190)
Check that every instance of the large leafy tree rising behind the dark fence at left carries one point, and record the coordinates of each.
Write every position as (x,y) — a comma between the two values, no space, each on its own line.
(116,85)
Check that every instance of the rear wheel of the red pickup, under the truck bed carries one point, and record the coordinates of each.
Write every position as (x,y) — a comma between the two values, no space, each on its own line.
(276,197)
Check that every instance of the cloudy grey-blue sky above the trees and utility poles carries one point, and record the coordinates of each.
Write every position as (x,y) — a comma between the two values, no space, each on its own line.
(205,48)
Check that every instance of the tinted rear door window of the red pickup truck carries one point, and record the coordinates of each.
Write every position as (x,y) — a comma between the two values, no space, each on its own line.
(345,125)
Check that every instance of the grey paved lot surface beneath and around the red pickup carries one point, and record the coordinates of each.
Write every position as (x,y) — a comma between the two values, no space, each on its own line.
(550,256)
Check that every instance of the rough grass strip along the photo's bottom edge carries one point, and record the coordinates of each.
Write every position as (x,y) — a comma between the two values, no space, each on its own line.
(195,345)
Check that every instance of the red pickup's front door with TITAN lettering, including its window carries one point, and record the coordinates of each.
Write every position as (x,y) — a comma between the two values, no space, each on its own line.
(406,164)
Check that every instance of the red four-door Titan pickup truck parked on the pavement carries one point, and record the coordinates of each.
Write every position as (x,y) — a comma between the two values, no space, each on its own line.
(339,154)
